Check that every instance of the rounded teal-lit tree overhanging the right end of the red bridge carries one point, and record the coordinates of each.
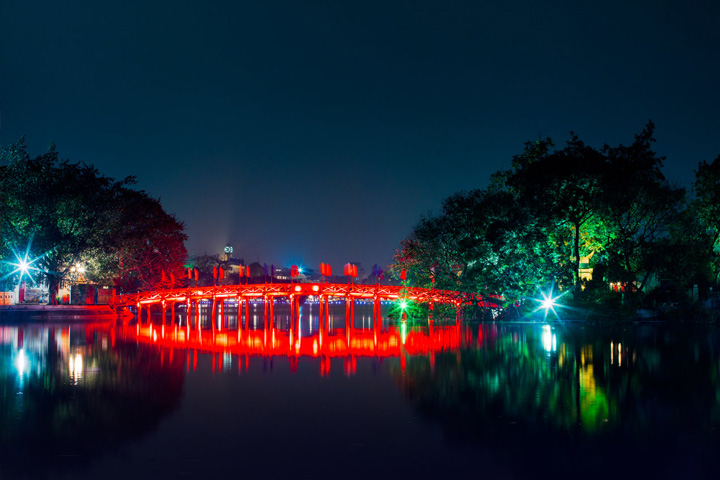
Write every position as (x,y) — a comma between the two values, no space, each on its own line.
(484,241)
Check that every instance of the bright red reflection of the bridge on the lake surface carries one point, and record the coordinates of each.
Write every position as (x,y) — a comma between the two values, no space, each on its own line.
(229,335)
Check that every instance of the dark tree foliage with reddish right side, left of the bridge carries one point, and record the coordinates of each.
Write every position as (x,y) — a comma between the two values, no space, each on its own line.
(68,213)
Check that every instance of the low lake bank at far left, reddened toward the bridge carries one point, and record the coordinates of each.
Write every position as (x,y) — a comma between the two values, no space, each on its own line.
(45,313)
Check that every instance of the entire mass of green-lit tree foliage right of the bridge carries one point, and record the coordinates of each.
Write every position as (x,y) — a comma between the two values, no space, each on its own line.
(533,224)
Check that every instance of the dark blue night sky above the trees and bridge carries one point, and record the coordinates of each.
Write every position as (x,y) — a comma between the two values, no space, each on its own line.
(320,131)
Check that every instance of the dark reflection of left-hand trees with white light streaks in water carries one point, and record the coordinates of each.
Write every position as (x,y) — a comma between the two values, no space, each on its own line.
(69,393)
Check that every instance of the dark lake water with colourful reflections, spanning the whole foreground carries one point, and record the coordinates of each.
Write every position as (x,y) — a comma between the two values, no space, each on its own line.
(107,400)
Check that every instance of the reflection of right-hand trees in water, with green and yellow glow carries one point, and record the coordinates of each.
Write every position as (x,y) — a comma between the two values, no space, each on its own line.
(644,397)
